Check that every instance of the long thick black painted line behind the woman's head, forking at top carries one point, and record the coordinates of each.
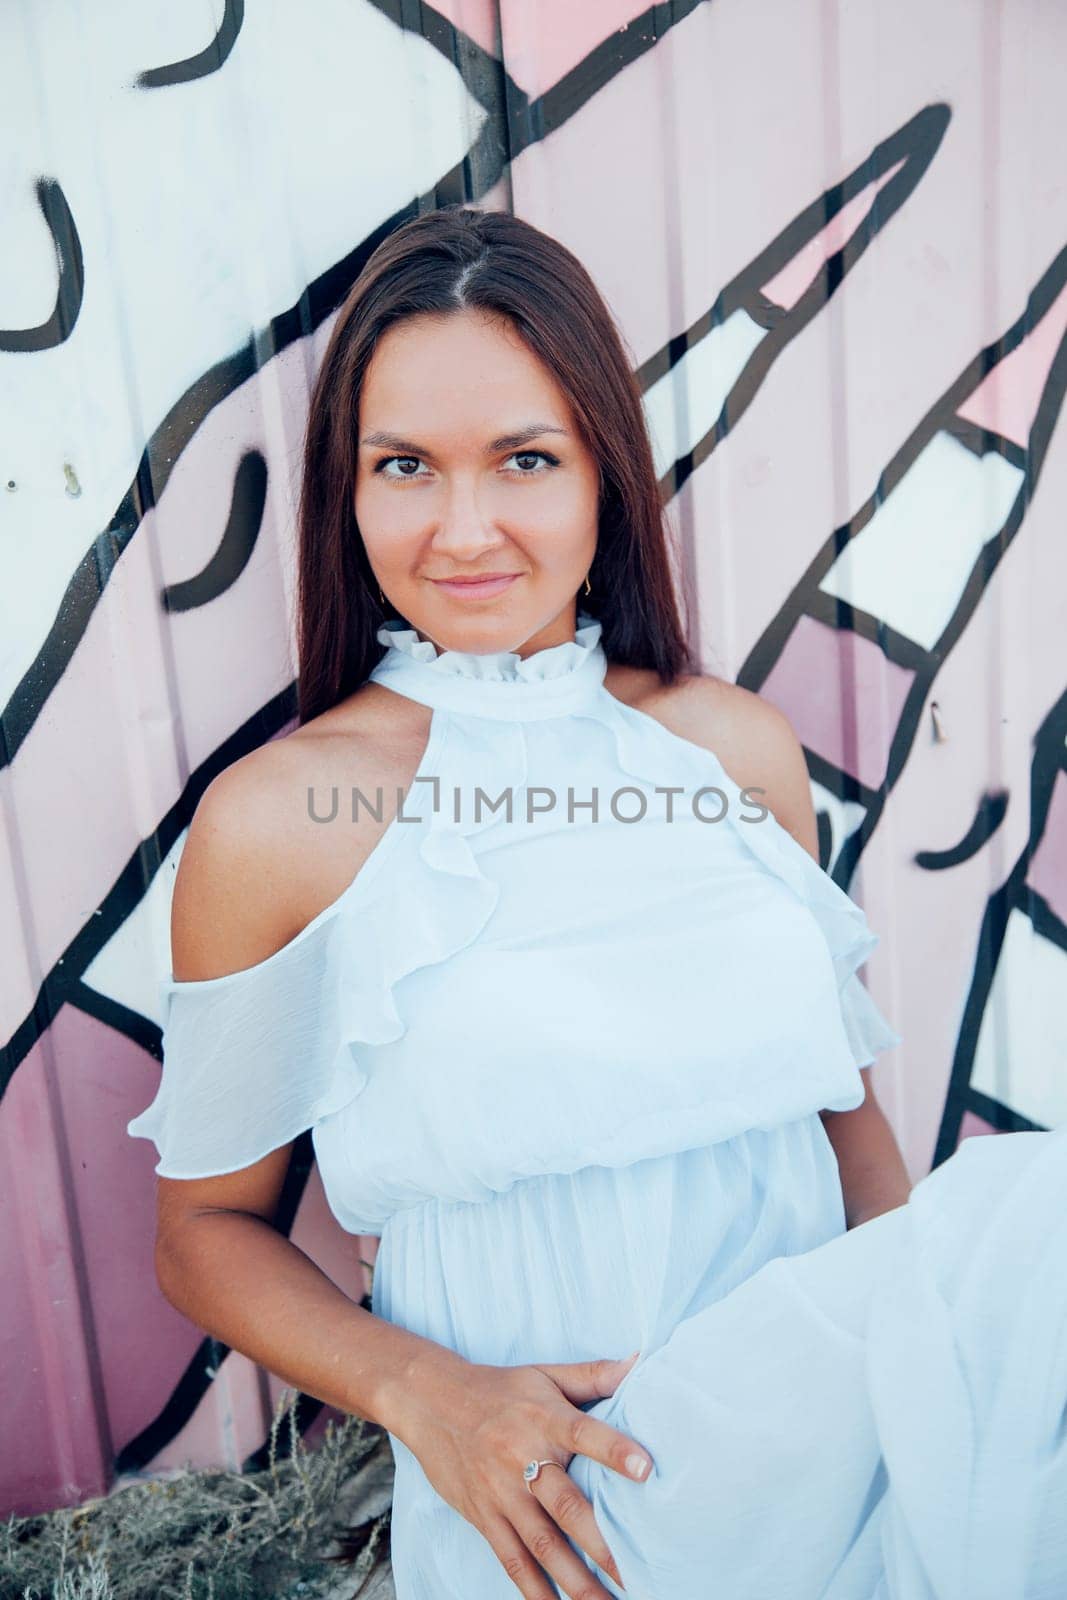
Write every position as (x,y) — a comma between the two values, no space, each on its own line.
(473,177)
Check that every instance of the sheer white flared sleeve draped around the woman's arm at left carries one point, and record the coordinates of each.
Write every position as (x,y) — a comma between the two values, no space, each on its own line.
(252,1060)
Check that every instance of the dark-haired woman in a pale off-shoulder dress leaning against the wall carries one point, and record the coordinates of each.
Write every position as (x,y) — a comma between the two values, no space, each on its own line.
(573,1015)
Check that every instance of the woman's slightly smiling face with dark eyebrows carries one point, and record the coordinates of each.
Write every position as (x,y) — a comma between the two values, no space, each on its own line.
(470,465)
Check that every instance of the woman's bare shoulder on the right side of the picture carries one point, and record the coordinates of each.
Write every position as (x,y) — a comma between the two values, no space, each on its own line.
(753,738)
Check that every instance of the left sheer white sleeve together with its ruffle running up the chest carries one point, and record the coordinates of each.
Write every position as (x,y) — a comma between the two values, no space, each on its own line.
(255,1058)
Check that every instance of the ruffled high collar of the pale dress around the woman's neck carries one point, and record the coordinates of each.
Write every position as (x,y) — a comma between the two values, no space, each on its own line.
(554,682)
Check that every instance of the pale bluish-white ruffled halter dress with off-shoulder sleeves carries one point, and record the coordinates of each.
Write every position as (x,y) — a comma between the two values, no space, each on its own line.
(569,1063)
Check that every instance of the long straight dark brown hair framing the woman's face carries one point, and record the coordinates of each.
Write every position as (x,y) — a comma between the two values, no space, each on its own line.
(455,260)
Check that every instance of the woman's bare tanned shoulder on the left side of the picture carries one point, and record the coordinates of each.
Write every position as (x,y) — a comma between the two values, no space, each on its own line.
(274,839)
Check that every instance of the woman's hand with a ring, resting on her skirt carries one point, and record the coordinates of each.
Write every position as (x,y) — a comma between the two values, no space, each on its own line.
(474,1428)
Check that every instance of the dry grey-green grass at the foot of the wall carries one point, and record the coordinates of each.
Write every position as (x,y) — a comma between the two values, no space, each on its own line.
(270,1535)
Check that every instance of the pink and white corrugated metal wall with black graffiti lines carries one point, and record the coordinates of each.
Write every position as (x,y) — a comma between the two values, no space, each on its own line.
(836,238)
